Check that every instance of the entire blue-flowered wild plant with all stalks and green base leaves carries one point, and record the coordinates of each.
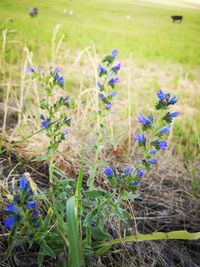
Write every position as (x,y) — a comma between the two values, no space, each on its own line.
(75,225)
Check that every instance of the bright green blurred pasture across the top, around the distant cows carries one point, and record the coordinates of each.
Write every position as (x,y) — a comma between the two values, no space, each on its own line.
(148,34)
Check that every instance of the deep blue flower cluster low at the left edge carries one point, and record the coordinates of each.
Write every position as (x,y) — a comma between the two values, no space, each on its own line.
(22,211)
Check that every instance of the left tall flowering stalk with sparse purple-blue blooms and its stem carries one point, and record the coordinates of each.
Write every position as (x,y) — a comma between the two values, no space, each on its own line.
(54,122)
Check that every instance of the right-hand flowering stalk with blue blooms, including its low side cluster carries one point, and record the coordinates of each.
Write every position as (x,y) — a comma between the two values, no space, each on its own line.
(152,138)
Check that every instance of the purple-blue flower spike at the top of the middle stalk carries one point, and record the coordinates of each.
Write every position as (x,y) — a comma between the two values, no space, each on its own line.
(107,72)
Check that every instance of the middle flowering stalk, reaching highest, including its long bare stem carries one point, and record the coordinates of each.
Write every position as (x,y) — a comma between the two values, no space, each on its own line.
(107,73)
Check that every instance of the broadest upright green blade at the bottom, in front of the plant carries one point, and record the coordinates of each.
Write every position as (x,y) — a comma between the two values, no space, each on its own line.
(75,253)
